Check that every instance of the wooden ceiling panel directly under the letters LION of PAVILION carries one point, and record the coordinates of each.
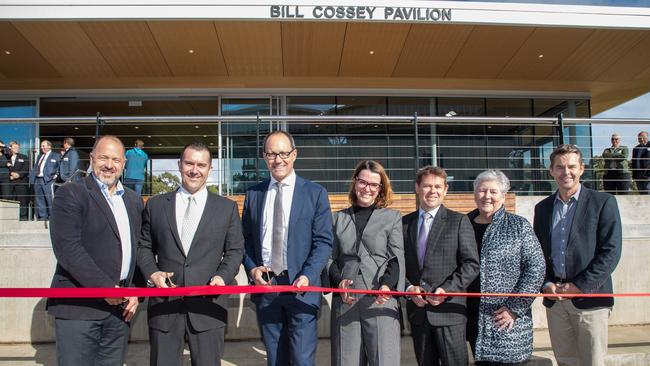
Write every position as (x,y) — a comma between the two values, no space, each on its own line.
(430,49)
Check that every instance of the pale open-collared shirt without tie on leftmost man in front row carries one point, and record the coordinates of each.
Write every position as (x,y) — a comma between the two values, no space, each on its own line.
(116,203)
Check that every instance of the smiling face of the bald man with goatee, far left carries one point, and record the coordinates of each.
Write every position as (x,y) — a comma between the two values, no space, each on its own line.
(107,161)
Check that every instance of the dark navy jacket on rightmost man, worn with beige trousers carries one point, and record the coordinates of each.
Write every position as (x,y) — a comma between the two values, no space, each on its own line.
(594,247)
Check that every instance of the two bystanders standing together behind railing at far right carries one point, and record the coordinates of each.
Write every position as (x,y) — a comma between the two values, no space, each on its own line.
(619,171)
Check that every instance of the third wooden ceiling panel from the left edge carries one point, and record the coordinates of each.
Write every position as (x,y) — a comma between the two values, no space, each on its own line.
(129,47)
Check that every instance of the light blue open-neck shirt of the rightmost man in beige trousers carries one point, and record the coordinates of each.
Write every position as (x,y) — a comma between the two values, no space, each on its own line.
(563,213)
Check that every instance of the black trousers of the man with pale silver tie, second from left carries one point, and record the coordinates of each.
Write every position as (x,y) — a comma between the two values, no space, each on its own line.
(206,348)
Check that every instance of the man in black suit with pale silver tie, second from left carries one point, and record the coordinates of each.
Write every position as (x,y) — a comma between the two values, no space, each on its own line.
(190,237)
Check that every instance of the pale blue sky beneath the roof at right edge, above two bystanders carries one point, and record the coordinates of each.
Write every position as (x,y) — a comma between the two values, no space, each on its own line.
(635,108)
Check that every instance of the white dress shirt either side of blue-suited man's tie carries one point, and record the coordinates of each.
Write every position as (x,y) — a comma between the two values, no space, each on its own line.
(267,222)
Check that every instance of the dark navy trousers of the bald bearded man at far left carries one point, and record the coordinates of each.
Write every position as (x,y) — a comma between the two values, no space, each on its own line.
(92,342)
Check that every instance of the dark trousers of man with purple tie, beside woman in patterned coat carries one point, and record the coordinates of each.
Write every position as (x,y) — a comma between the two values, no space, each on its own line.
(439,345)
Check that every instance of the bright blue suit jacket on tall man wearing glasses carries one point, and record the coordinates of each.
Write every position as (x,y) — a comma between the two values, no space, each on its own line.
(309,242)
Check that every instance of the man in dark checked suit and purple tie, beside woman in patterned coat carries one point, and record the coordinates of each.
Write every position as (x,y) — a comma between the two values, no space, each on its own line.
(441,256)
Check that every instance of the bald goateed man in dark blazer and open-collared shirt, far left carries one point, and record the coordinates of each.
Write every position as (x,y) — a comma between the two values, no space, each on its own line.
(95,226)
